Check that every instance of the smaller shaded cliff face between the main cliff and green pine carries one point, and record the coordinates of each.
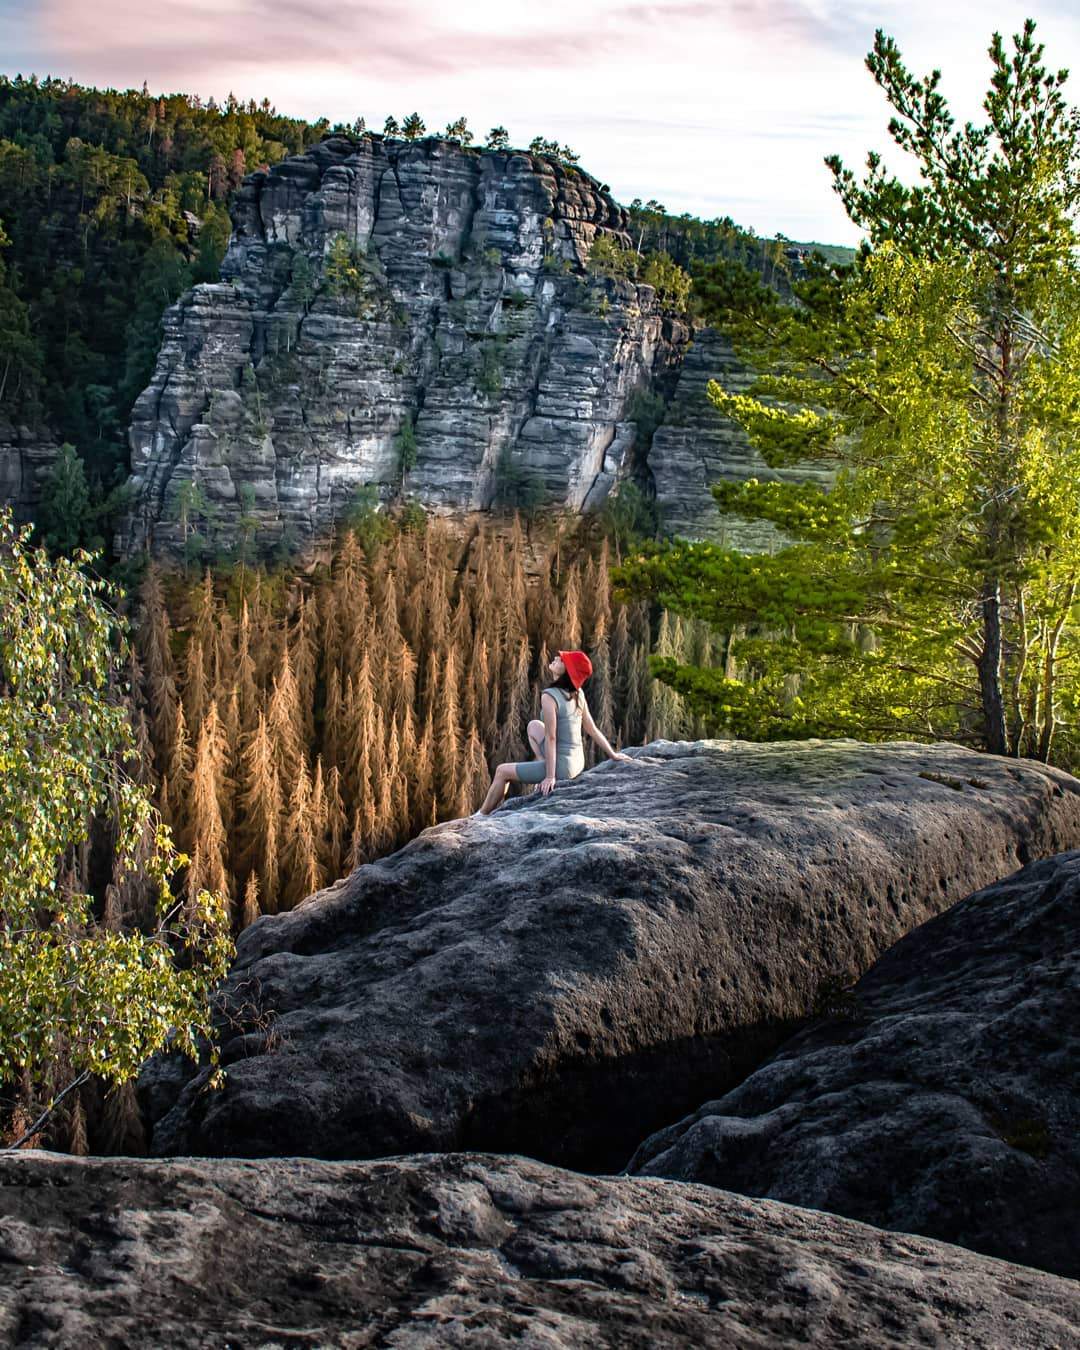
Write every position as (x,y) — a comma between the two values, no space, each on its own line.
(696,446)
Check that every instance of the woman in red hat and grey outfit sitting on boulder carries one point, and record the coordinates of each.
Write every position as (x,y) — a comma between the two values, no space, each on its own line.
(558,739)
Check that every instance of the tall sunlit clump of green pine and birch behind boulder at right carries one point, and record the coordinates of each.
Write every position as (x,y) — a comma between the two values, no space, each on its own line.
(932,589)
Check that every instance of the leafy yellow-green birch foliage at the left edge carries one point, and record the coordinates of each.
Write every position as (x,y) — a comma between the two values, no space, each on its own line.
(74,988)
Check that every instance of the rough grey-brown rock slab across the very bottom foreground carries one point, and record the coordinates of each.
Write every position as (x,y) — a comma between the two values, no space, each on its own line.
(473,1251)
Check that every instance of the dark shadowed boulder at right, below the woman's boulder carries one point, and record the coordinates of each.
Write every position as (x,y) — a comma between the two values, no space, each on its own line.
(944,1101)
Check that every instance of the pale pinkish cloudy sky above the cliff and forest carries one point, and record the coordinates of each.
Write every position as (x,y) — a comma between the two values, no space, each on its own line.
(719,109)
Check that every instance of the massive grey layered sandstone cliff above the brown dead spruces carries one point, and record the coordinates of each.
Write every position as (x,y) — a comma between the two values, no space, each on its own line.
(377,291)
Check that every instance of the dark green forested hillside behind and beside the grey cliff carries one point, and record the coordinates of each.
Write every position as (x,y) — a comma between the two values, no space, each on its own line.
(113,205)
